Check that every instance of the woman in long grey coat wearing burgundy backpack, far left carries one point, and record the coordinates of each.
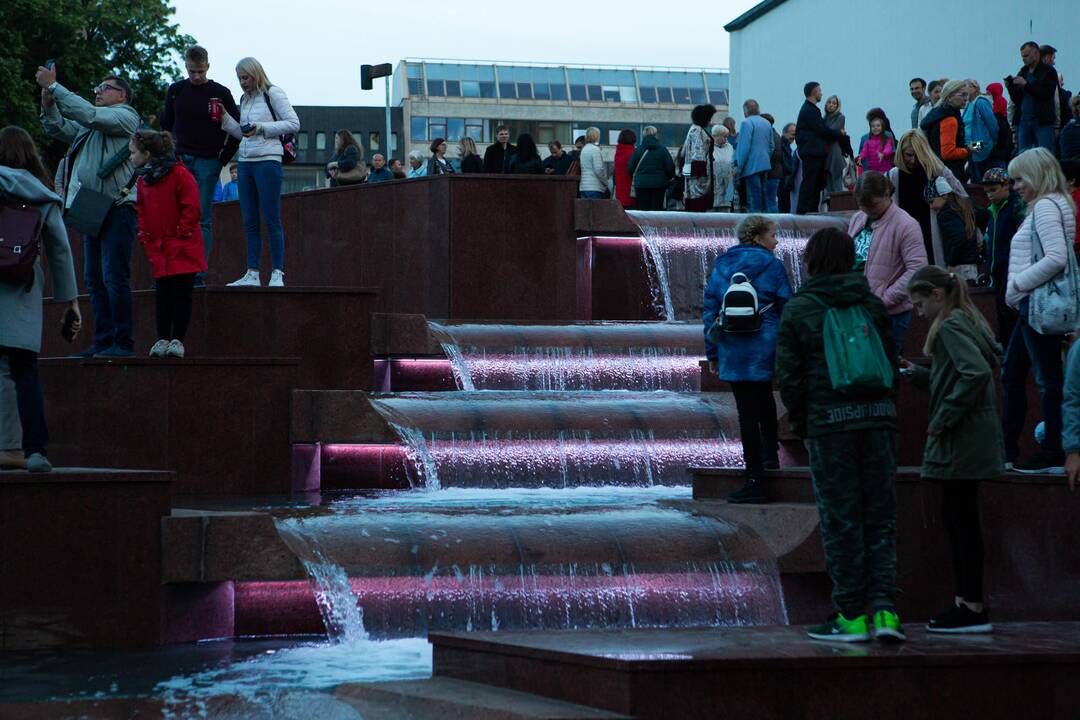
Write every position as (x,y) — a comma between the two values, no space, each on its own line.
(23,182)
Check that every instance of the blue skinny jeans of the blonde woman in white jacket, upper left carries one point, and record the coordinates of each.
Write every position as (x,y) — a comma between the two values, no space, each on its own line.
(260,188)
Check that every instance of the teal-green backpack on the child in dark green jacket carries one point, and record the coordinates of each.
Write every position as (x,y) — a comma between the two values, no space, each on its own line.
(855,355)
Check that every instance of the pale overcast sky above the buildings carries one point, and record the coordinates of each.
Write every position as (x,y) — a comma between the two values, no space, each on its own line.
(314,49)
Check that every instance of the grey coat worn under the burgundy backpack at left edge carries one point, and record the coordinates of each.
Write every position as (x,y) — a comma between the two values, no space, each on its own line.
(21,314)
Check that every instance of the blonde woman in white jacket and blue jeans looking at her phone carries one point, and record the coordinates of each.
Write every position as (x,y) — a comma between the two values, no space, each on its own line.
(266,115)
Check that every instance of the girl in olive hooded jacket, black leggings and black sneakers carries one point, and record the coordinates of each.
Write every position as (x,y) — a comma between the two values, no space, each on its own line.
(964,444)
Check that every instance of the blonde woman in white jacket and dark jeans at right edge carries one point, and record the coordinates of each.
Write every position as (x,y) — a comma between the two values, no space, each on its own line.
(1052,220)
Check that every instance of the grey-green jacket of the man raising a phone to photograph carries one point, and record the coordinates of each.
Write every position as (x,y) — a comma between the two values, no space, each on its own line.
(101,134)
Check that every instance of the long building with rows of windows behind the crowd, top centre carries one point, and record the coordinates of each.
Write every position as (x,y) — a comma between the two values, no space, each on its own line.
(455,100)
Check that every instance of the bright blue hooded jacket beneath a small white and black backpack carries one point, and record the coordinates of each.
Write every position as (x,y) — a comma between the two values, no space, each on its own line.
(747,357)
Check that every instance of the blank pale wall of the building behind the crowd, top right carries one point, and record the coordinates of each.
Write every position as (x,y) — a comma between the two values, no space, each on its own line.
(868,53)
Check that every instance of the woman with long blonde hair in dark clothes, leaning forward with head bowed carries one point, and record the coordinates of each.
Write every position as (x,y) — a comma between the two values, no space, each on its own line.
(916,168)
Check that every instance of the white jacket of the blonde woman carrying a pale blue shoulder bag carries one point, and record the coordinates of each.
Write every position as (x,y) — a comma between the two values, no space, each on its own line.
(1057,225)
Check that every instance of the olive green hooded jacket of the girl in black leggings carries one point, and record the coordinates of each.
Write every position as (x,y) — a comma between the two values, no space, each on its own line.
(965,432)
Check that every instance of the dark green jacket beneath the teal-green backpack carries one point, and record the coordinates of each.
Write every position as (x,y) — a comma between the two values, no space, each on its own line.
(814,407)
